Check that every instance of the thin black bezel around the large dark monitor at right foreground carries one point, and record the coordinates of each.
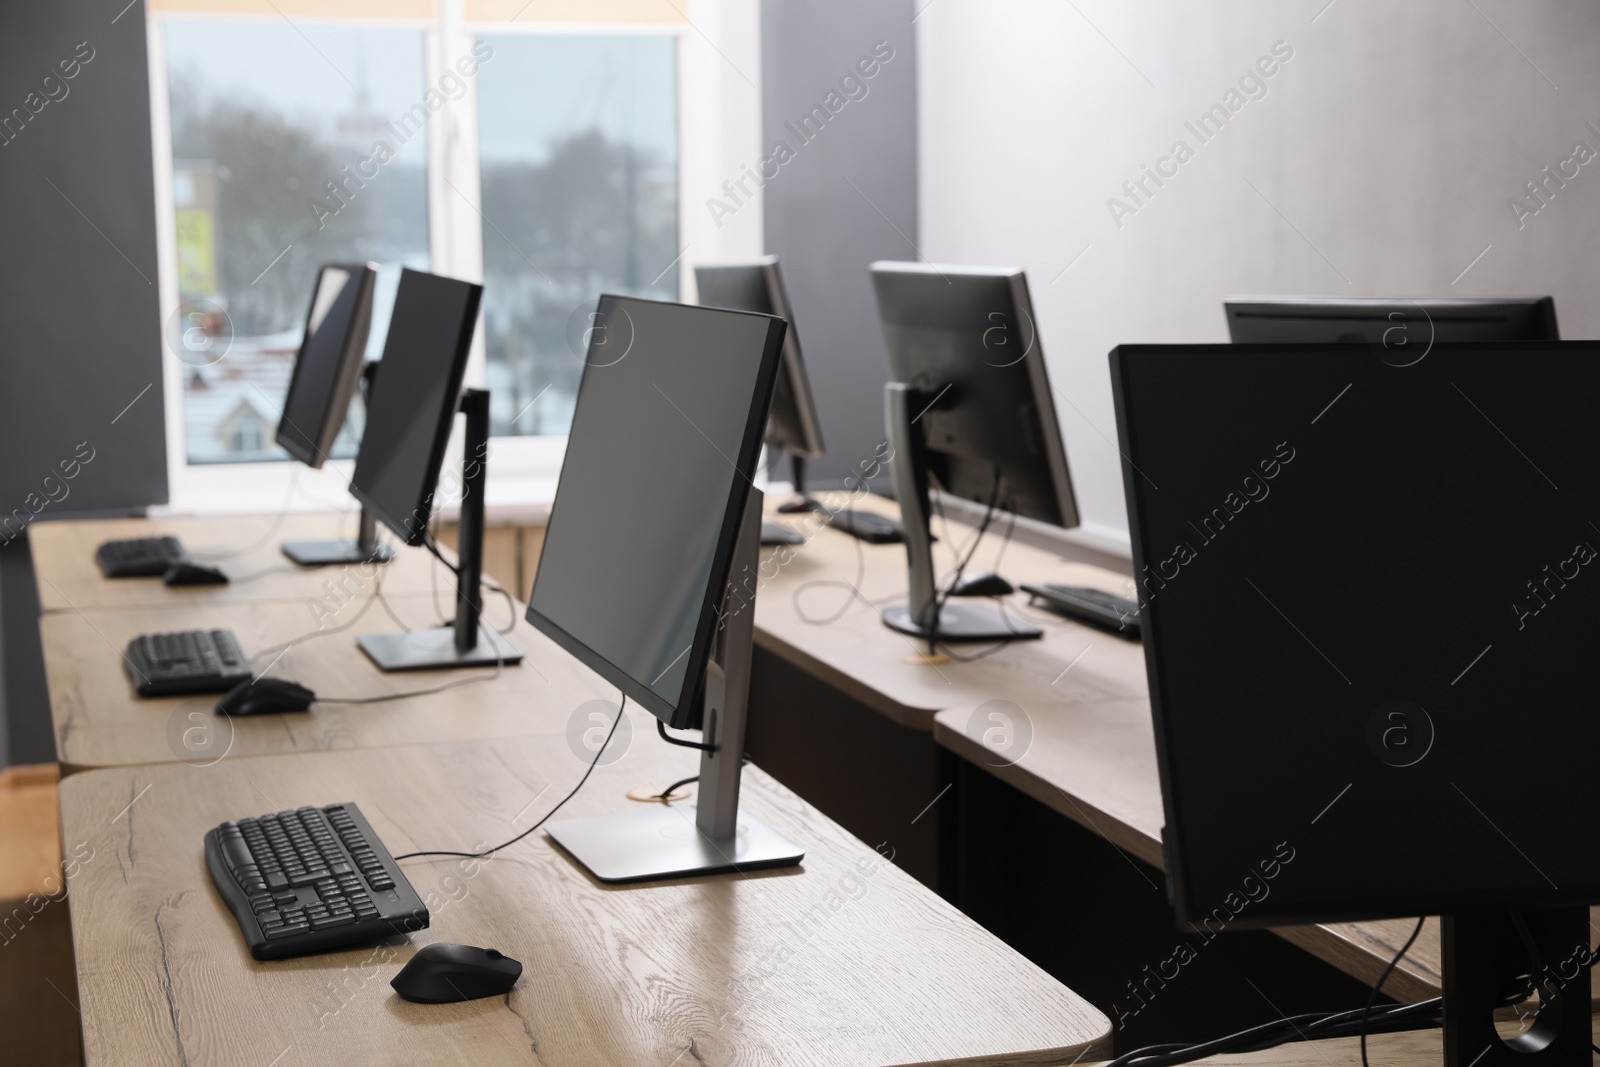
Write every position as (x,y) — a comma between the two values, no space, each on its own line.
(1175,841)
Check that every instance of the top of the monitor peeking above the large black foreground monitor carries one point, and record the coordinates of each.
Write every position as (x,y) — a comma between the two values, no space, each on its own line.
(1402,327)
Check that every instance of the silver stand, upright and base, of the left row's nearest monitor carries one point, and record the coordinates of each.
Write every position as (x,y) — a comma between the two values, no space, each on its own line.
(713,837)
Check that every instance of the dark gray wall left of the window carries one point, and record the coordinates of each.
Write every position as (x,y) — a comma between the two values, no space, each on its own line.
(78,306)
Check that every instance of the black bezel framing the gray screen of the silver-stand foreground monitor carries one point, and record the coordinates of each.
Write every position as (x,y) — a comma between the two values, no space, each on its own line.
(687,713)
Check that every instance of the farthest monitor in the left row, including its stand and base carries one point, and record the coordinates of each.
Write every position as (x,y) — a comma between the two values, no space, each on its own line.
(327,369)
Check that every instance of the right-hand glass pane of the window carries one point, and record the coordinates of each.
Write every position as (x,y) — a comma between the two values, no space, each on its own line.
(578,154)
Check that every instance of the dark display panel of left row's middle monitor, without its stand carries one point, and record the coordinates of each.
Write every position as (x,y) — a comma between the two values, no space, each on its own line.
(415,401)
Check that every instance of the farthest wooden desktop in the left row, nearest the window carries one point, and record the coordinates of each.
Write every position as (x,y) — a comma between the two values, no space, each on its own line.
(70,578)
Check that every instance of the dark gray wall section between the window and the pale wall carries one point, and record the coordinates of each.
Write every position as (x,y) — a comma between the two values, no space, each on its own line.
(846,199)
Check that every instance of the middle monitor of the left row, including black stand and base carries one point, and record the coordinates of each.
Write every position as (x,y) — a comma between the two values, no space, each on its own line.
(409,420)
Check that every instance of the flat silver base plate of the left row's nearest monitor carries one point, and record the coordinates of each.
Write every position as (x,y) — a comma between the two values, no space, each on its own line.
(666,844)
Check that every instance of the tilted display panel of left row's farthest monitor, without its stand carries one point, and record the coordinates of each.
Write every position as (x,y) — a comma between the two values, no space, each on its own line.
(329,364)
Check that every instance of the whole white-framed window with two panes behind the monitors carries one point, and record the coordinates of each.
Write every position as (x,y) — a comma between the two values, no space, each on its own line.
(542,150)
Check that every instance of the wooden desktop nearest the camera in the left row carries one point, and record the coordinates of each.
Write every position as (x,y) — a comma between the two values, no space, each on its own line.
(844,962)
